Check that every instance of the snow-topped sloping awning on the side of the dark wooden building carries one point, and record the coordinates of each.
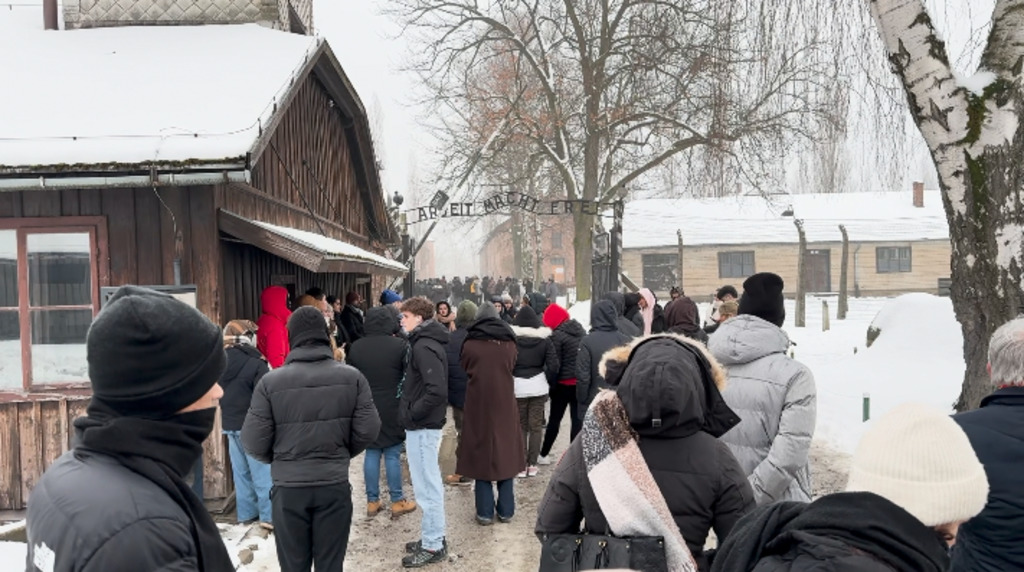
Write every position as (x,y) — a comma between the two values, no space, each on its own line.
(309,250)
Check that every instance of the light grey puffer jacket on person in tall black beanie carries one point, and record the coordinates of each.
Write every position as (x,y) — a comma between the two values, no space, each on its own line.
(776,398)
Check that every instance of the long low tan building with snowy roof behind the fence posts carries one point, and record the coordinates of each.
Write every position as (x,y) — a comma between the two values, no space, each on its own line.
(900,242)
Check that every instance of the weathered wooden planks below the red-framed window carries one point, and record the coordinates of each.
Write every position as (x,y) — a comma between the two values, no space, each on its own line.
(34,433)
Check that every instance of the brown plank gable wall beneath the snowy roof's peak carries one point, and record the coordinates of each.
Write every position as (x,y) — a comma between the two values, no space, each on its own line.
(309,161)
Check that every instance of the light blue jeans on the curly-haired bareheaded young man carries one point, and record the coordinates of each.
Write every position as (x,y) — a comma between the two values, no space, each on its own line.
(422,448)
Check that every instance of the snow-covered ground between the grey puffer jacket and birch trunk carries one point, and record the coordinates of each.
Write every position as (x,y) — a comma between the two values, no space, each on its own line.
(918,358)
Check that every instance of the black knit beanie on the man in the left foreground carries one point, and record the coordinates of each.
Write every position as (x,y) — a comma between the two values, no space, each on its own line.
(152,356)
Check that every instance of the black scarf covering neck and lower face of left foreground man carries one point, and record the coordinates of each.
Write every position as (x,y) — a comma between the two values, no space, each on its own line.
(163,451)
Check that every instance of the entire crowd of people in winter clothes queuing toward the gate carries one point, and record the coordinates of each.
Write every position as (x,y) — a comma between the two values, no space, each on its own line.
(677,430)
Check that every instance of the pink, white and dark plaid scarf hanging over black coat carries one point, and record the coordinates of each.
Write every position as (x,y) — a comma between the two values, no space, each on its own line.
(626,491)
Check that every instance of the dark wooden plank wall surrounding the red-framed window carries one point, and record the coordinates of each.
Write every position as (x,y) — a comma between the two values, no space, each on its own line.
(142,247)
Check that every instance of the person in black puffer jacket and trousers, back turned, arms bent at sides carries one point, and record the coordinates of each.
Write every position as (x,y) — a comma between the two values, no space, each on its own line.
(309,419)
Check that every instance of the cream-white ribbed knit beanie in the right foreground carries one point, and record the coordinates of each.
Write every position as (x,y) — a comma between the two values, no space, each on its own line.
(918,458)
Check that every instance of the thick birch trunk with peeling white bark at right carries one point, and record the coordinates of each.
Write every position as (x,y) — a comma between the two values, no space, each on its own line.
(975,143)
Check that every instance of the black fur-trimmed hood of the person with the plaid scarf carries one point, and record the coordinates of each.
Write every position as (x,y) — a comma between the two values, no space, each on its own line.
(670,388)
